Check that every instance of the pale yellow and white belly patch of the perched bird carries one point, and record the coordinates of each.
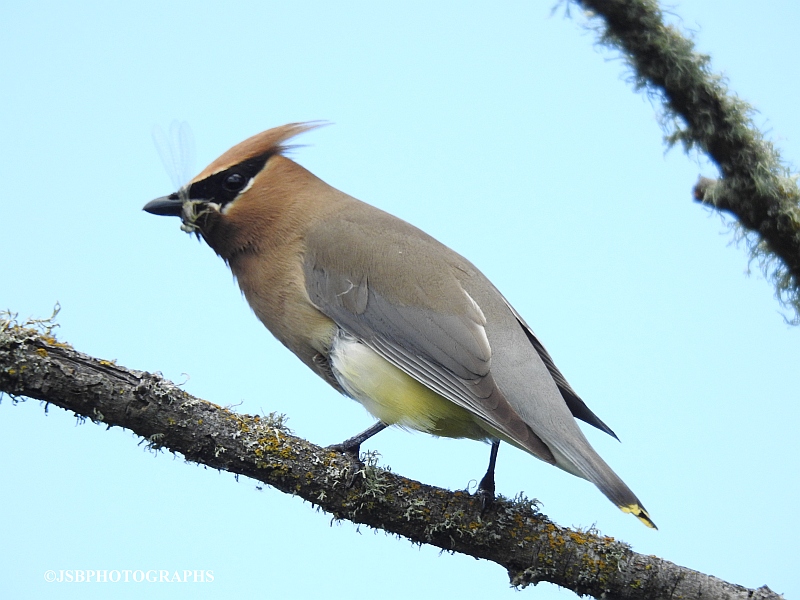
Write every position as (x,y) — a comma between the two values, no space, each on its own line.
(396,398)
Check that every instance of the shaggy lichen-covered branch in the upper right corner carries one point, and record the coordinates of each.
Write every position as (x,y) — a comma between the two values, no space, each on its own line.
(755,186)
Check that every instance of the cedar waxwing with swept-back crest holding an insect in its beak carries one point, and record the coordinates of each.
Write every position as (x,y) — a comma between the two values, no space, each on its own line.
(386,314)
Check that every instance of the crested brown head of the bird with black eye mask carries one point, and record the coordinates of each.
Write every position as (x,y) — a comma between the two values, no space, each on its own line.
(241,200)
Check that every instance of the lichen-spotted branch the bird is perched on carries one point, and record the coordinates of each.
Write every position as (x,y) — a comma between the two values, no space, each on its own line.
(511,533)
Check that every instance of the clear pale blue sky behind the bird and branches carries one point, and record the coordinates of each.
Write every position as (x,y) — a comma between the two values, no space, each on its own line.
(500,129)
